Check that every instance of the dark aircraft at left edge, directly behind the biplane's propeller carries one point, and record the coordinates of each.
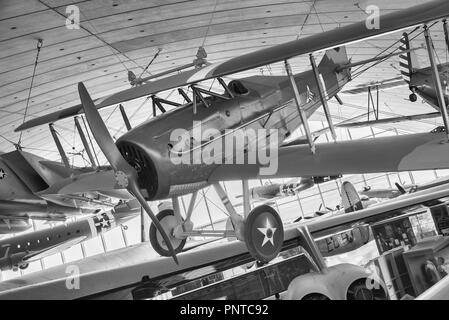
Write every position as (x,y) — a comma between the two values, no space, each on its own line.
(32,187)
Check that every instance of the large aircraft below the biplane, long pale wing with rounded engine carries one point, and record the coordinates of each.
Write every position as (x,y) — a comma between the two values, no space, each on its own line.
(137,276)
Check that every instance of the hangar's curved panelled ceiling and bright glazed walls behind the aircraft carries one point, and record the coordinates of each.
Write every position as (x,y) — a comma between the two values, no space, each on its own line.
(148,37)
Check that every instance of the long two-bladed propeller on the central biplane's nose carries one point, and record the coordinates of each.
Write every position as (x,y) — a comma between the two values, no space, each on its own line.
(117,162)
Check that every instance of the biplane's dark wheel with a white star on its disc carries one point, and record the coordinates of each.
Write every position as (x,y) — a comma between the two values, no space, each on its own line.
(264,233)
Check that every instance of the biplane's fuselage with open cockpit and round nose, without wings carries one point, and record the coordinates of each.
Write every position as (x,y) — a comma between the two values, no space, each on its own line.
(266,102)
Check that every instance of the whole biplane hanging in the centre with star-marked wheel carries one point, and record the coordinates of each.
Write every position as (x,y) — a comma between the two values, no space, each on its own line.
(146,158)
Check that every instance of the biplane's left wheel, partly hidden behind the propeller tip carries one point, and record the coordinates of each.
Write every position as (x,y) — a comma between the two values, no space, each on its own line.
(169,223)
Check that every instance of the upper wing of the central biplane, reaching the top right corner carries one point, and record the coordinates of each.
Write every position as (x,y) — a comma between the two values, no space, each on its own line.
(398,20)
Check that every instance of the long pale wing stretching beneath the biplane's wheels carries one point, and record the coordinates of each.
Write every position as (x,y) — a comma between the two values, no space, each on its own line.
(115,274)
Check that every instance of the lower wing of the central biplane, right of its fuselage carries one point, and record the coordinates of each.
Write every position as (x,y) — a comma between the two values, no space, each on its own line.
(422,151)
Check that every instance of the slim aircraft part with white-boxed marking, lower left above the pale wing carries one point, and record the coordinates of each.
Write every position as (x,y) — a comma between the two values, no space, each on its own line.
(19,251)
